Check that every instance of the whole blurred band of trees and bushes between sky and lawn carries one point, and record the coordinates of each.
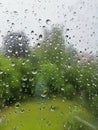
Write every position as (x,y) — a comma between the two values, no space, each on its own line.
(52,67)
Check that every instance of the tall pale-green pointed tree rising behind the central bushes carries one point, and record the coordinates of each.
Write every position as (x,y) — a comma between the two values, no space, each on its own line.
(53,50)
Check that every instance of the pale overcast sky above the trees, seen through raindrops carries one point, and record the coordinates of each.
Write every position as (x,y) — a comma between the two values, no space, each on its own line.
(80,16)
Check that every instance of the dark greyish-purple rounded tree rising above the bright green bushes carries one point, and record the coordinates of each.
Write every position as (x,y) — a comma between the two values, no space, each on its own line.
(16,44)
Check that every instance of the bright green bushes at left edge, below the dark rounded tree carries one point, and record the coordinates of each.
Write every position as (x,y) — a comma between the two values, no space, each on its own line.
(16,79)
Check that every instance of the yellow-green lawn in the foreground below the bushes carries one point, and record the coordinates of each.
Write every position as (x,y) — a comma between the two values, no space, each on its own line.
(51,114)
